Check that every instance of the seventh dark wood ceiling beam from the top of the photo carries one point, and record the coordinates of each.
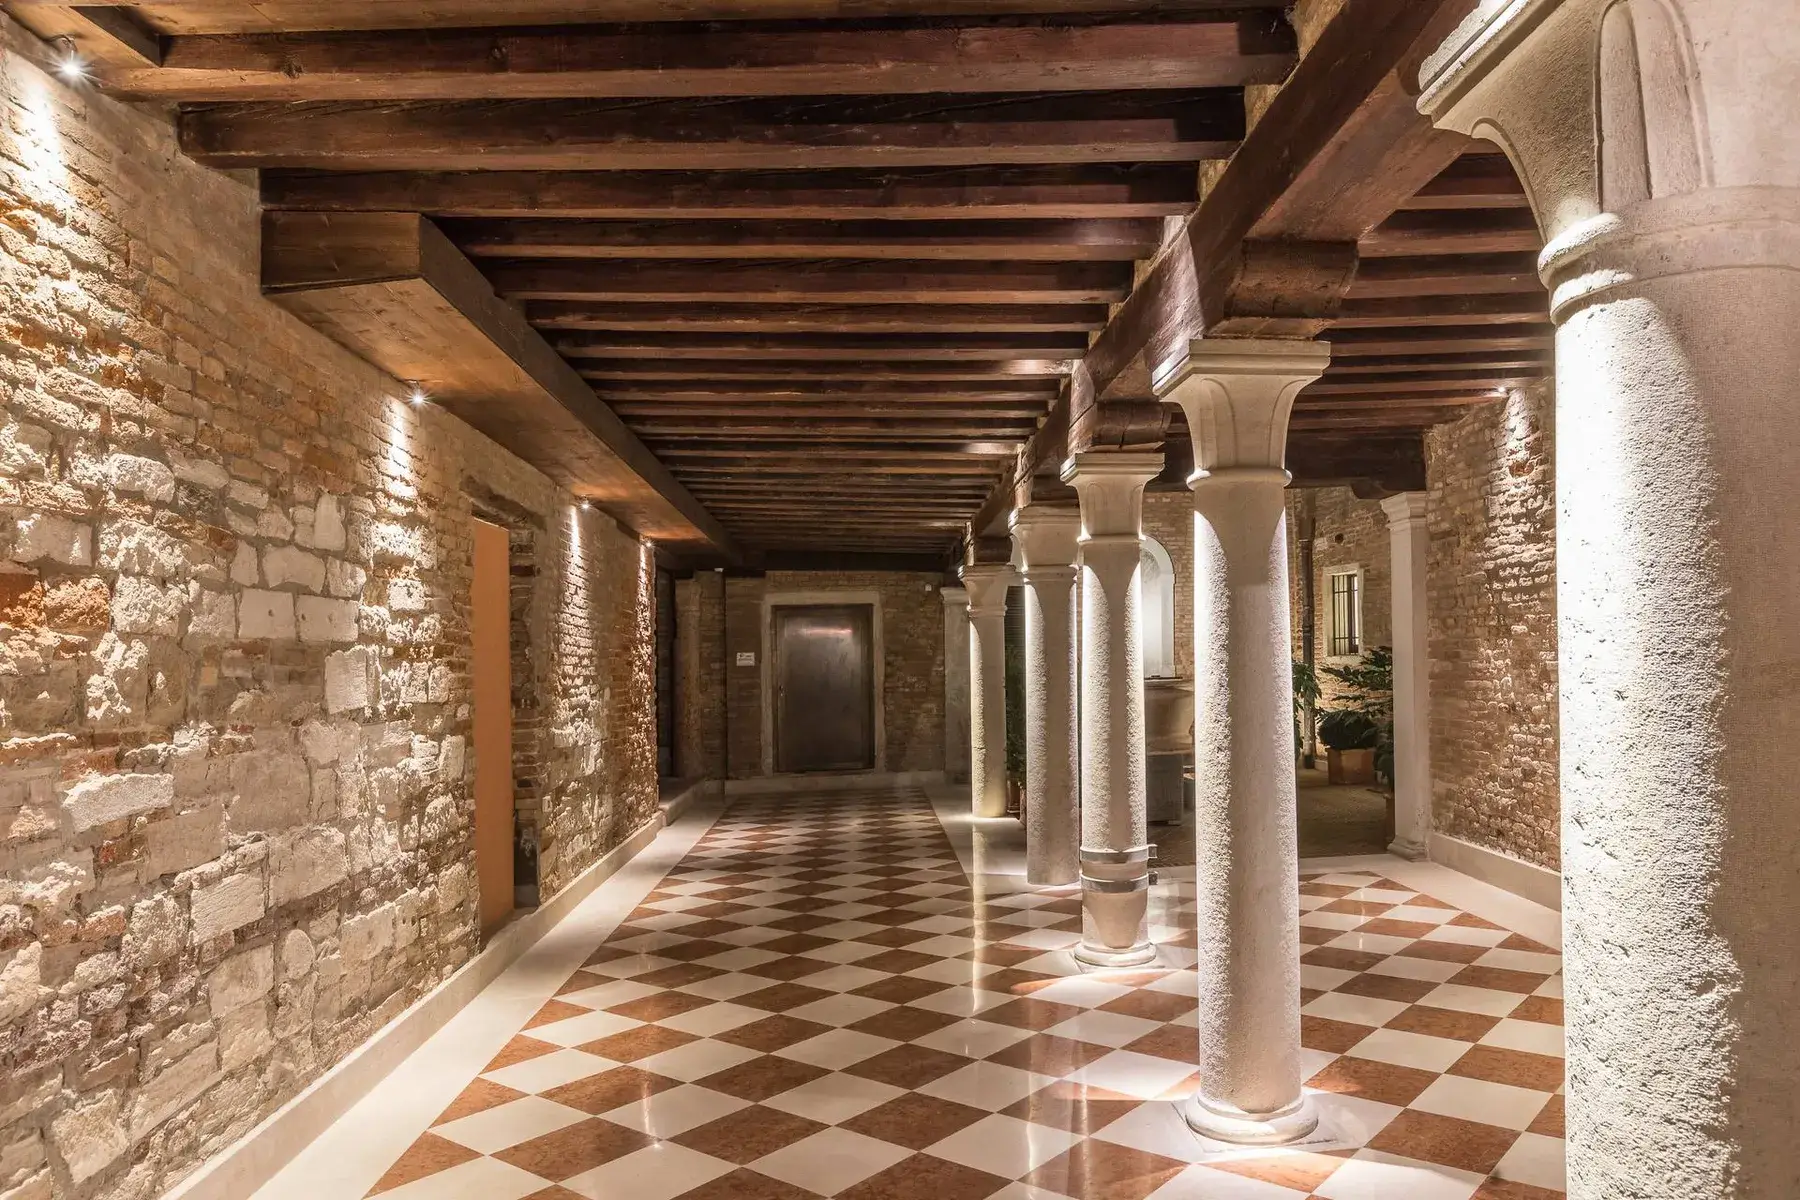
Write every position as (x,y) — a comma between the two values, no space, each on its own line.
(829,348)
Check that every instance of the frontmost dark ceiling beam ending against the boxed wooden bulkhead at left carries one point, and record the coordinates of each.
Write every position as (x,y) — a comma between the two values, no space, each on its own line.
(1061,242)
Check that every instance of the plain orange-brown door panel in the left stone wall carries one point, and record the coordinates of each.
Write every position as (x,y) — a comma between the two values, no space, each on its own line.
(490,625)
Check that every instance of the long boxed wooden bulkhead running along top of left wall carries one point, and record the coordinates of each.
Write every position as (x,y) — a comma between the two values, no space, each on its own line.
(391,289)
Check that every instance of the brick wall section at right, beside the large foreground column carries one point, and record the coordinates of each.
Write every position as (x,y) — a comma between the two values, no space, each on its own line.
(1493,620)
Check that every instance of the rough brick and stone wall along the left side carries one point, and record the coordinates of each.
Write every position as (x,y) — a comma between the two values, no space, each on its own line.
(235,807)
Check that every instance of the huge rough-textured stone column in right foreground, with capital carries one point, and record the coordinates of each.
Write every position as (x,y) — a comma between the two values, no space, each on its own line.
(1657,145)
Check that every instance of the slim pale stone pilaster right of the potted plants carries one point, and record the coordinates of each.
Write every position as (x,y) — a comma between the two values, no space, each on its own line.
(1410,541)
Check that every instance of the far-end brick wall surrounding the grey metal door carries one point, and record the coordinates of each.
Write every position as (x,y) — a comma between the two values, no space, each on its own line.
(913,663)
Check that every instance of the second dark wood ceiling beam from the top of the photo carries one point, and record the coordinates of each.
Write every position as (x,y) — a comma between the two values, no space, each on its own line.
(708,136)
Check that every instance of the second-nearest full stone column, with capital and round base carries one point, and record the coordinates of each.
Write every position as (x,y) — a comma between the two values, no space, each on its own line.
(1237,397)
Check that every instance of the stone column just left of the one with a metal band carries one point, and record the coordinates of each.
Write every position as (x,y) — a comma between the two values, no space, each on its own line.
(1048,544)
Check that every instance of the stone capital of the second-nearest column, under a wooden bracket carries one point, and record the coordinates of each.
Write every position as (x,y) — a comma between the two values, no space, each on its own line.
(1237,395)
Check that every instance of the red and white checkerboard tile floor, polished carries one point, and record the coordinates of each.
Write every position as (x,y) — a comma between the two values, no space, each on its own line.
(820,1003)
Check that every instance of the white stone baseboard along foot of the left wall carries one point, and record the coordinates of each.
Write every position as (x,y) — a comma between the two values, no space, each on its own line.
(249,1163)
